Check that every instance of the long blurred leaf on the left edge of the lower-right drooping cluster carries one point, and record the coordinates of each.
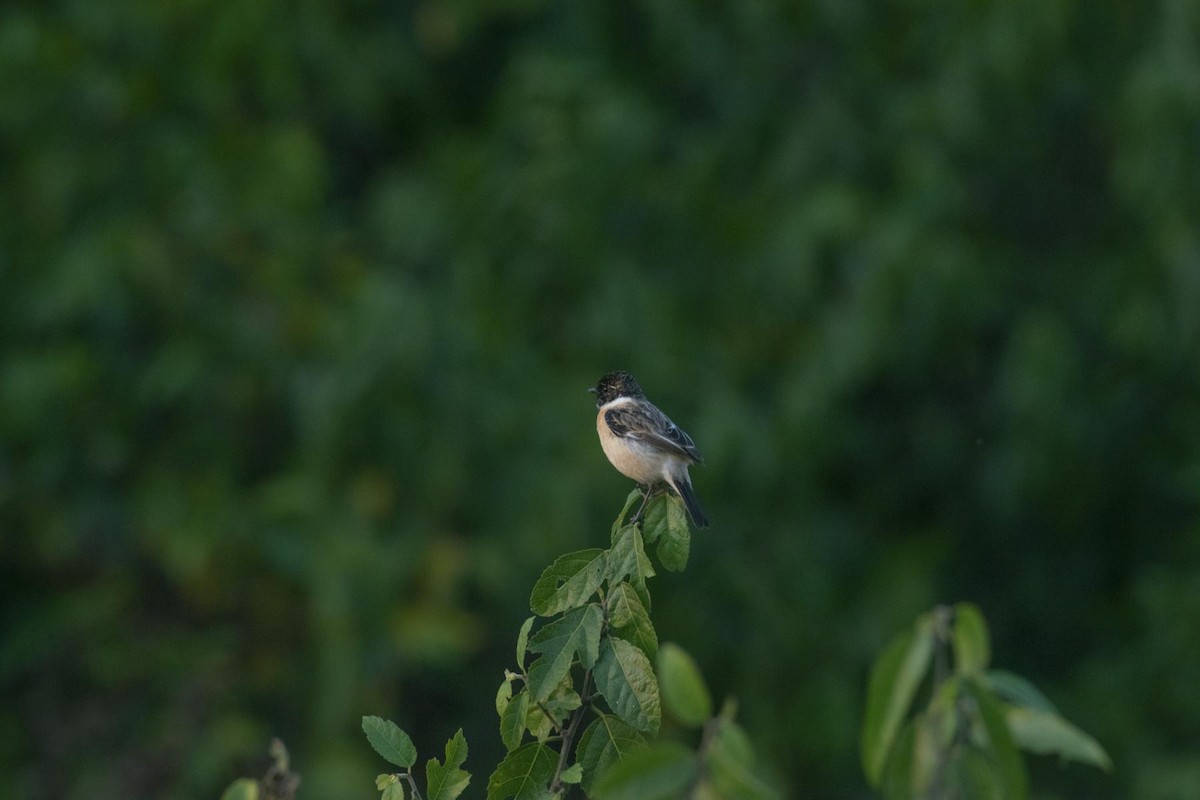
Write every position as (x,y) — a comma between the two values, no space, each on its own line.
(893,684)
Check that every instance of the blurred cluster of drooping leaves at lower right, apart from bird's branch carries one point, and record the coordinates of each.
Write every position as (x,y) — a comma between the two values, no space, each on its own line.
(967,741)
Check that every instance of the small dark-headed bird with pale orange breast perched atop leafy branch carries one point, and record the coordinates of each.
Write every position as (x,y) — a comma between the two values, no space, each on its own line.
(644,444)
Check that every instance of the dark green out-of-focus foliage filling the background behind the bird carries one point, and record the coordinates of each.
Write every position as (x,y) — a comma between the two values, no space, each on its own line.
(301,299)
